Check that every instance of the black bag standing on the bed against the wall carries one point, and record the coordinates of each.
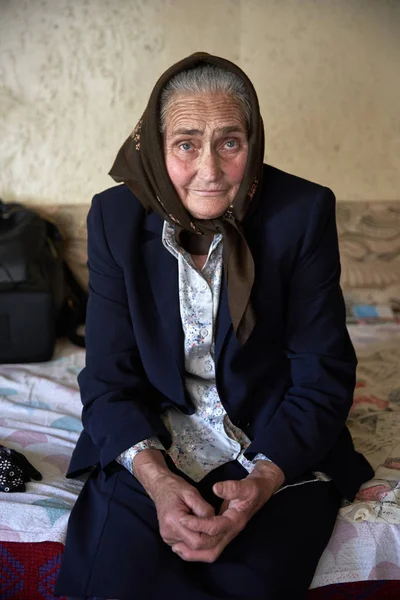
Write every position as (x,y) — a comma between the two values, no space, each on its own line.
(39,297)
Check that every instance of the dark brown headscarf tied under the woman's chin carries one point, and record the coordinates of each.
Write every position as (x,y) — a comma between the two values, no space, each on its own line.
(140,164)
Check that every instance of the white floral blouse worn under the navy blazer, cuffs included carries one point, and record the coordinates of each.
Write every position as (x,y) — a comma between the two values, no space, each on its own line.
(207,439)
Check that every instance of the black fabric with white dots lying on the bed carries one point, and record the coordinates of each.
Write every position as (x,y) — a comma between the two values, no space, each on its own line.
(15,470)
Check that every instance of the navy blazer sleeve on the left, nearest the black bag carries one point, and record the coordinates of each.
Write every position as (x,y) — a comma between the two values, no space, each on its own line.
(120,406)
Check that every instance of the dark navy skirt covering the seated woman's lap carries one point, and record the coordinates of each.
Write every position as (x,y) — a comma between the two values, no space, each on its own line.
(114,549)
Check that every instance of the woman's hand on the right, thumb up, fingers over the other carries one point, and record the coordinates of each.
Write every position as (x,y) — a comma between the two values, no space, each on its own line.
(242,499)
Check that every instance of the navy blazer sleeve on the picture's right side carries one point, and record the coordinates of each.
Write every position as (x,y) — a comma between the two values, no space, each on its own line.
(313,413)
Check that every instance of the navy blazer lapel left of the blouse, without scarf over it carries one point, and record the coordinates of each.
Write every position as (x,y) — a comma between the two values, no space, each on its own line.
(162,272)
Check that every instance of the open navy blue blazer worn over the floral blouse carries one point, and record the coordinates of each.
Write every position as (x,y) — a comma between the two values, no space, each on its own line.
(290,387)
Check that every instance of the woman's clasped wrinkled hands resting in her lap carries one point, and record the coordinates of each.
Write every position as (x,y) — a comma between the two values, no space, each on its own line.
(189,524)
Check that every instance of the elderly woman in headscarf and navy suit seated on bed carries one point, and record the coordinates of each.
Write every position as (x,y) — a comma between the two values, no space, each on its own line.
(219,371)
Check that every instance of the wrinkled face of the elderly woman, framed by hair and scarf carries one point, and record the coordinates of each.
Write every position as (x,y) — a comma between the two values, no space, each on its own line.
(206,146)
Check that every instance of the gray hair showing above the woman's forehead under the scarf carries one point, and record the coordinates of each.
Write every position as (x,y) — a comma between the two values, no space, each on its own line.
(205,79)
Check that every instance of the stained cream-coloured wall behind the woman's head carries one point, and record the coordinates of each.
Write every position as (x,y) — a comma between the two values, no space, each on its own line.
(75,76)
